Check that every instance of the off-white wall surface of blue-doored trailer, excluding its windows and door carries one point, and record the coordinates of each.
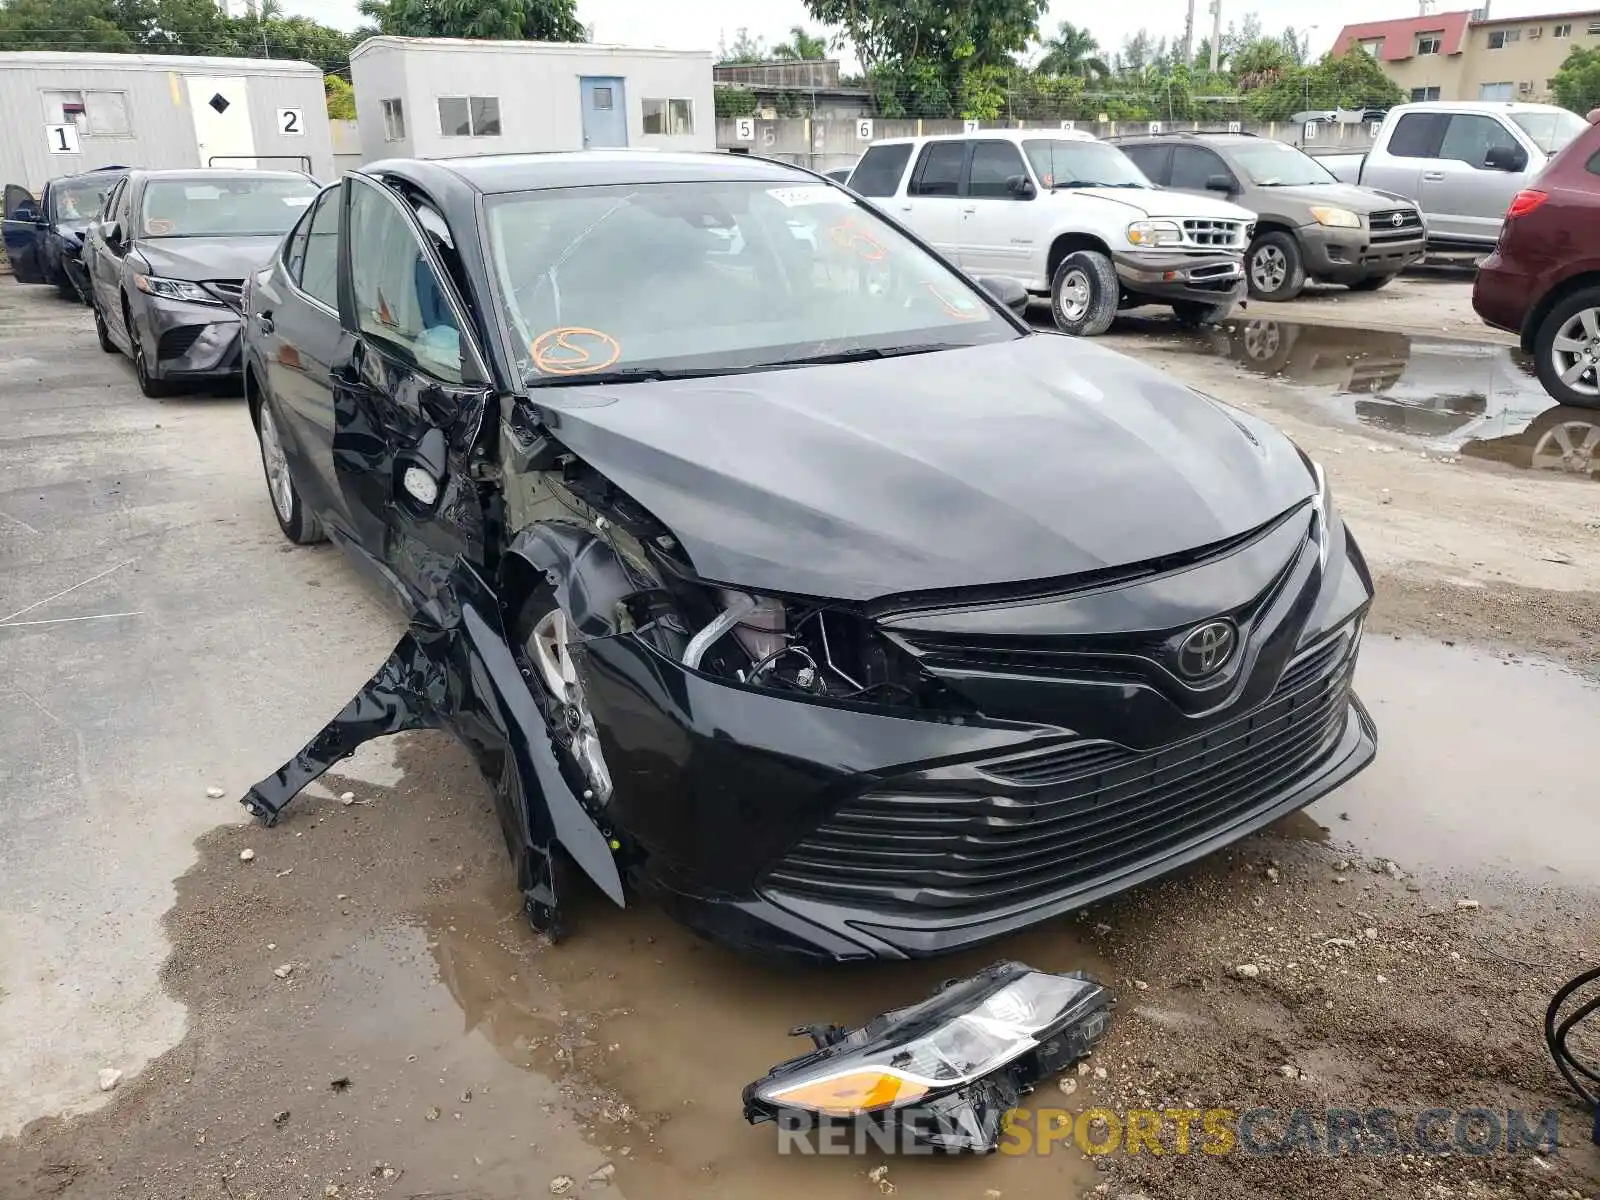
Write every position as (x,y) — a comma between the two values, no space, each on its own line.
(537,86)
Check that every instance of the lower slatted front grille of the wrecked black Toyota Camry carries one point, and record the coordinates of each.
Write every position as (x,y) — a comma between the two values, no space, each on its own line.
(1074,815)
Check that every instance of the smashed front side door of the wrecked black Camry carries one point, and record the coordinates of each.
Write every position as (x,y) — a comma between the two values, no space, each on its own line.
(410,404)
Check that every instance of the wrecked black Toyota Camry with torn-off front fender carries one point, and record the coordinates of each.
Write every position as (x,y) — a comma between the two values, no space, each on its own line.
(770,566)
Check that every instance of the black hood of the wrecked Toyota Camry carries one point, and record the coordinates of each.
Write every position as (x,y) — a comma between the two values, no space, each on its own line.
(1025,460)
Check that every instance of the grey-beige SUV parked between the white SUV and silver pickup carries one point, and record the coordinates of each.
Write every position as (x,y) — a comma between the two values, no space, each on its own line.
(1310,226)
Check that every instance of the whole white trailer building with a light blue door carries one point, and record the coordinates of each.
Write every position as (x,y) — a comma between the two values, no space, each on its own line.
(439,98)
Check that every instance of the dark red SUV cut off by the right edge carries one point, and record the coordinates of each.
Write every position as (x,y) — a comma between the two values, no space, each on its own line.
(1543,281)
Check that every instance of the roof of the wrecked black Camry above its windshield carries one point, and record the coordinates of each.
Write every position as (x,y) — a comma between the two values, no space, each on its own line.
(585,169)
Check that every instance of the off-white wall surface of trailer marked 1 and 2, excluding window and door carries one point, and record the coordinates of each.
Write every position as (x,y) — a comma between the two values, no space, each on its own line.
(162,132)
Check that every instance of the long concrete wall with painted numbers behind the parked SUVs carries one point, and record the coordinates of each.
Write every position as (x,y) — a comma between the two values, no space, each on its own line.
(831,145)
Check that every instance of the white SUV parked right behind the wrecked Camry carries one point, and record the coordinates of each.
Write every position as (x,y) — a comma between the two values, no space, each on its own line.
(1066,215)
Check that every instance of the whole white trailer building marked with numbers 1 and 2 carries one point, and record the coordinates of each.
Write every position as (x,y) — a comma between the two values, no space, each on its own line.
(65,114)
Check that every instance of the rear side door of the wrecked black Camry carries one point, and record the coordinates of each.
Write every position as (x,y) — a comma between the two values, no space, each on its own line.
(295,319)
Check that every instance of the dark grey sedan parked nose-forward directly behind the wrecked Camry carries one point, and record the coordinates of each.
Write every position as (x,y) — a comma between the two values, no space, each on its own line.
(167,263)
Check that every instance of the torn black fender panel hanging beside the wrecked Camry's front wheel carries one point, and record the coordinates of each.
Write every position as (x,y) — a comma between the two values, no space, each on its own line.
(465,679)
